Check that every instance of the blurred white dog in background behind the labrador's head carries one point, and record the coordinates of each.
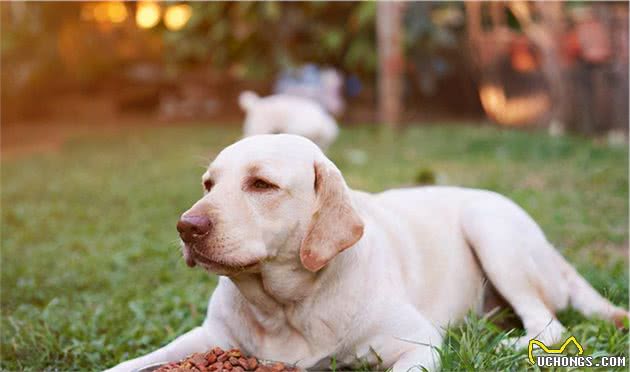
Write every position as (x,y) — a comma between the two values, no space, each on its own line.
(283,113)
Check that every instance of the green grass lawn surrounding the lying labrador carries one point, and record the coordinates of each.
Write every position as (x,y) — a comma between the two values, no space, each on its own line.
(91,269)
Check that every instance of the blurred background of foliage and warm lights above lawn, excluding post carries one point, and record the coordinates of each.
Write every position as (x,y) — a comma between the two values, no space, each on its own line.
(561,65)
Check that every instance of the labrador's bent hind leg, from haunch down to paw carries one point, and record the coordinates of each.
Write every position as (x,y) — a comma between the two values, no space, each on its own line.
(523,267)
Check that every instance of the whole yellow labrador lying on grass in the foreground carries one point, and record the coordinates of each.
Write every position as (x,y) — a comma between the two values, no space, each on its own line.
(311,269)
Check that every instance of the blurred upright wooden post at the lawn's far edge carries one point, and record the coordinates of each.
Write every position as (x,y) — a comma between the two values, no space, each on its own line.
(390,61)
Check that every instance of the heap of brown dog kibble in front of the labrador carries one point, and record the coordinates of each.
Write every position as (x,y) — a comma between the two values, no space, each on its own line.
(218,360)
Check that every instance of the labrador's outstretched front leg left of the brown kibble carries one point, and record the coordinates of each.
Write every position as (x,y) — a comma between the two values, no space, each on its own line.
(199,339)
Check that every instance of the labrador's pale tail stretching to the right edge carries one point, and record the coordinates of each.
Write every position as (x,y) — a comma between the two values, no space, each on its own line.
(584,298)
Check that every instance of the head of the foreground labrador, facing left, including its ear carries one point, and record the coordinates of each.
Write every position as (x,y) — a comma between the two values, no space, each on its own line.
(269,197)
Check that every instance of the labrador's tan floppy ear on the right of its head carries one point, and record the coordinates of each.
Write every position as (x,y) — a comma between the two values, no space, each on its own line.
(335,225)
